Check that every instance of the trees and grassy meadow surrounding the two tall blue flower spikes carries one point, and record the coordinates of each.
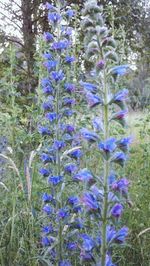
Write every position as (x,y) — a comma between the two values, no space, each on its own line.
(20,72)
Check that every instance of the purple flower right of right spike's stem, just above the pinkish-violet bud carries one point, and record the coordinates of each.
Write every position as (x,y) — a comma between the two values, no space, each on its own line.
(121,186)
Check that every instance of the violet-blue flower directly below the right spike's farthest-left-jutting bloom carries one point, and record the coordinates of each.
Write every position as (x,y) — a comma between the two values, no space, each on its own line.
(90,201)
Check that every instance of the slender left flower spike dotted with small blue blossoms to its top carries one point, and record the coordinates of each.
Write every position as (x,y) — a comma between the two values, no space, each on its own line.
(61,153)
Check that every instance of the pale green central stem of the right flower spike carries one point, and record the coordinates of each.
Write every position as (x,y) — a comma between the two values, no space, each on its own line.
(106,173)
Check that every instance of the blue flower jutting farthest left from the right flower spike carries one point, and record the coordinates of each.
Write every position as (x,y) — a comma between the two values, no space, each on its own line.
(84,176)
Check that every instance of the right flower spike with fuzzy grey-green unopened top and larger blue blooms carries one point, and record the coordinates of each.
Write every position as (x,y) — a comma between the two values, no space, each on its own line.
(106,194)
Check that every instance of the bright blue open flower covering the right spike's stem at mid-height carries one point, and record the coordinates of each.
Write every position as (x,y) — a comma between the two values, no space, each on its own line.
(107,147)
